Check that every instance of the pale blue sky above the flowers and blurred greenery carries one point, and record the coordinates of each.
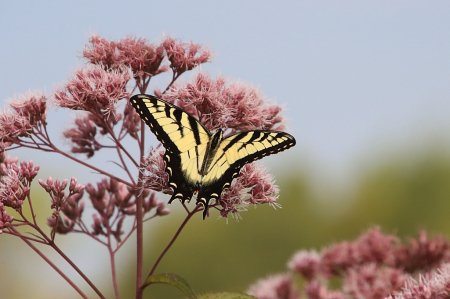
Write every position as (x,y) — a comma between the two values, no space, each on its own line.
(354,75)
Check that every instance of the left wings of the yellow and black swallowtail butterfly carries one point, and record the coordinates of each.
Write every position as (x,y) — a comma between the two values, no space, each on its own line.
(183,137)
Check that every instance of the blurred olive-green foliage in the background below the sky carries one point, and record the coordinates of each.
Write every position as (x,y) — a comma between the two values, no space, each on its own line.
(401,193)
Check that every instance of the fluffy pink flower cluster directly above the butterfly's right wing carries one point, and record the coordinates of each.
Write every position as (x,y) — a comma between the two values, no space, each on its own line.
(217,103)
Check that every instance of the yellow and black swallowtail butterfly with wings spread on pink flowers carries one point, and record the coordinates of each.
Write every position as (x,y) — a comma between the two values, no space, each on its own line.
(198,162)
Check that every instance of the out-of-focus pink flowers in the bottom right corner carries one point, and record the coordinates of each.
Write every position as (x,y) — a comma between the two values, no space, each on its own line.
(373,266)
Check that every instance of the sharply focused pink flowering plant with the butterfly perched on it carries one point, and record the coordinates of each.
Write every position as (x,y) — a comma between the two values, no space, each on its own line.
(100,92)
